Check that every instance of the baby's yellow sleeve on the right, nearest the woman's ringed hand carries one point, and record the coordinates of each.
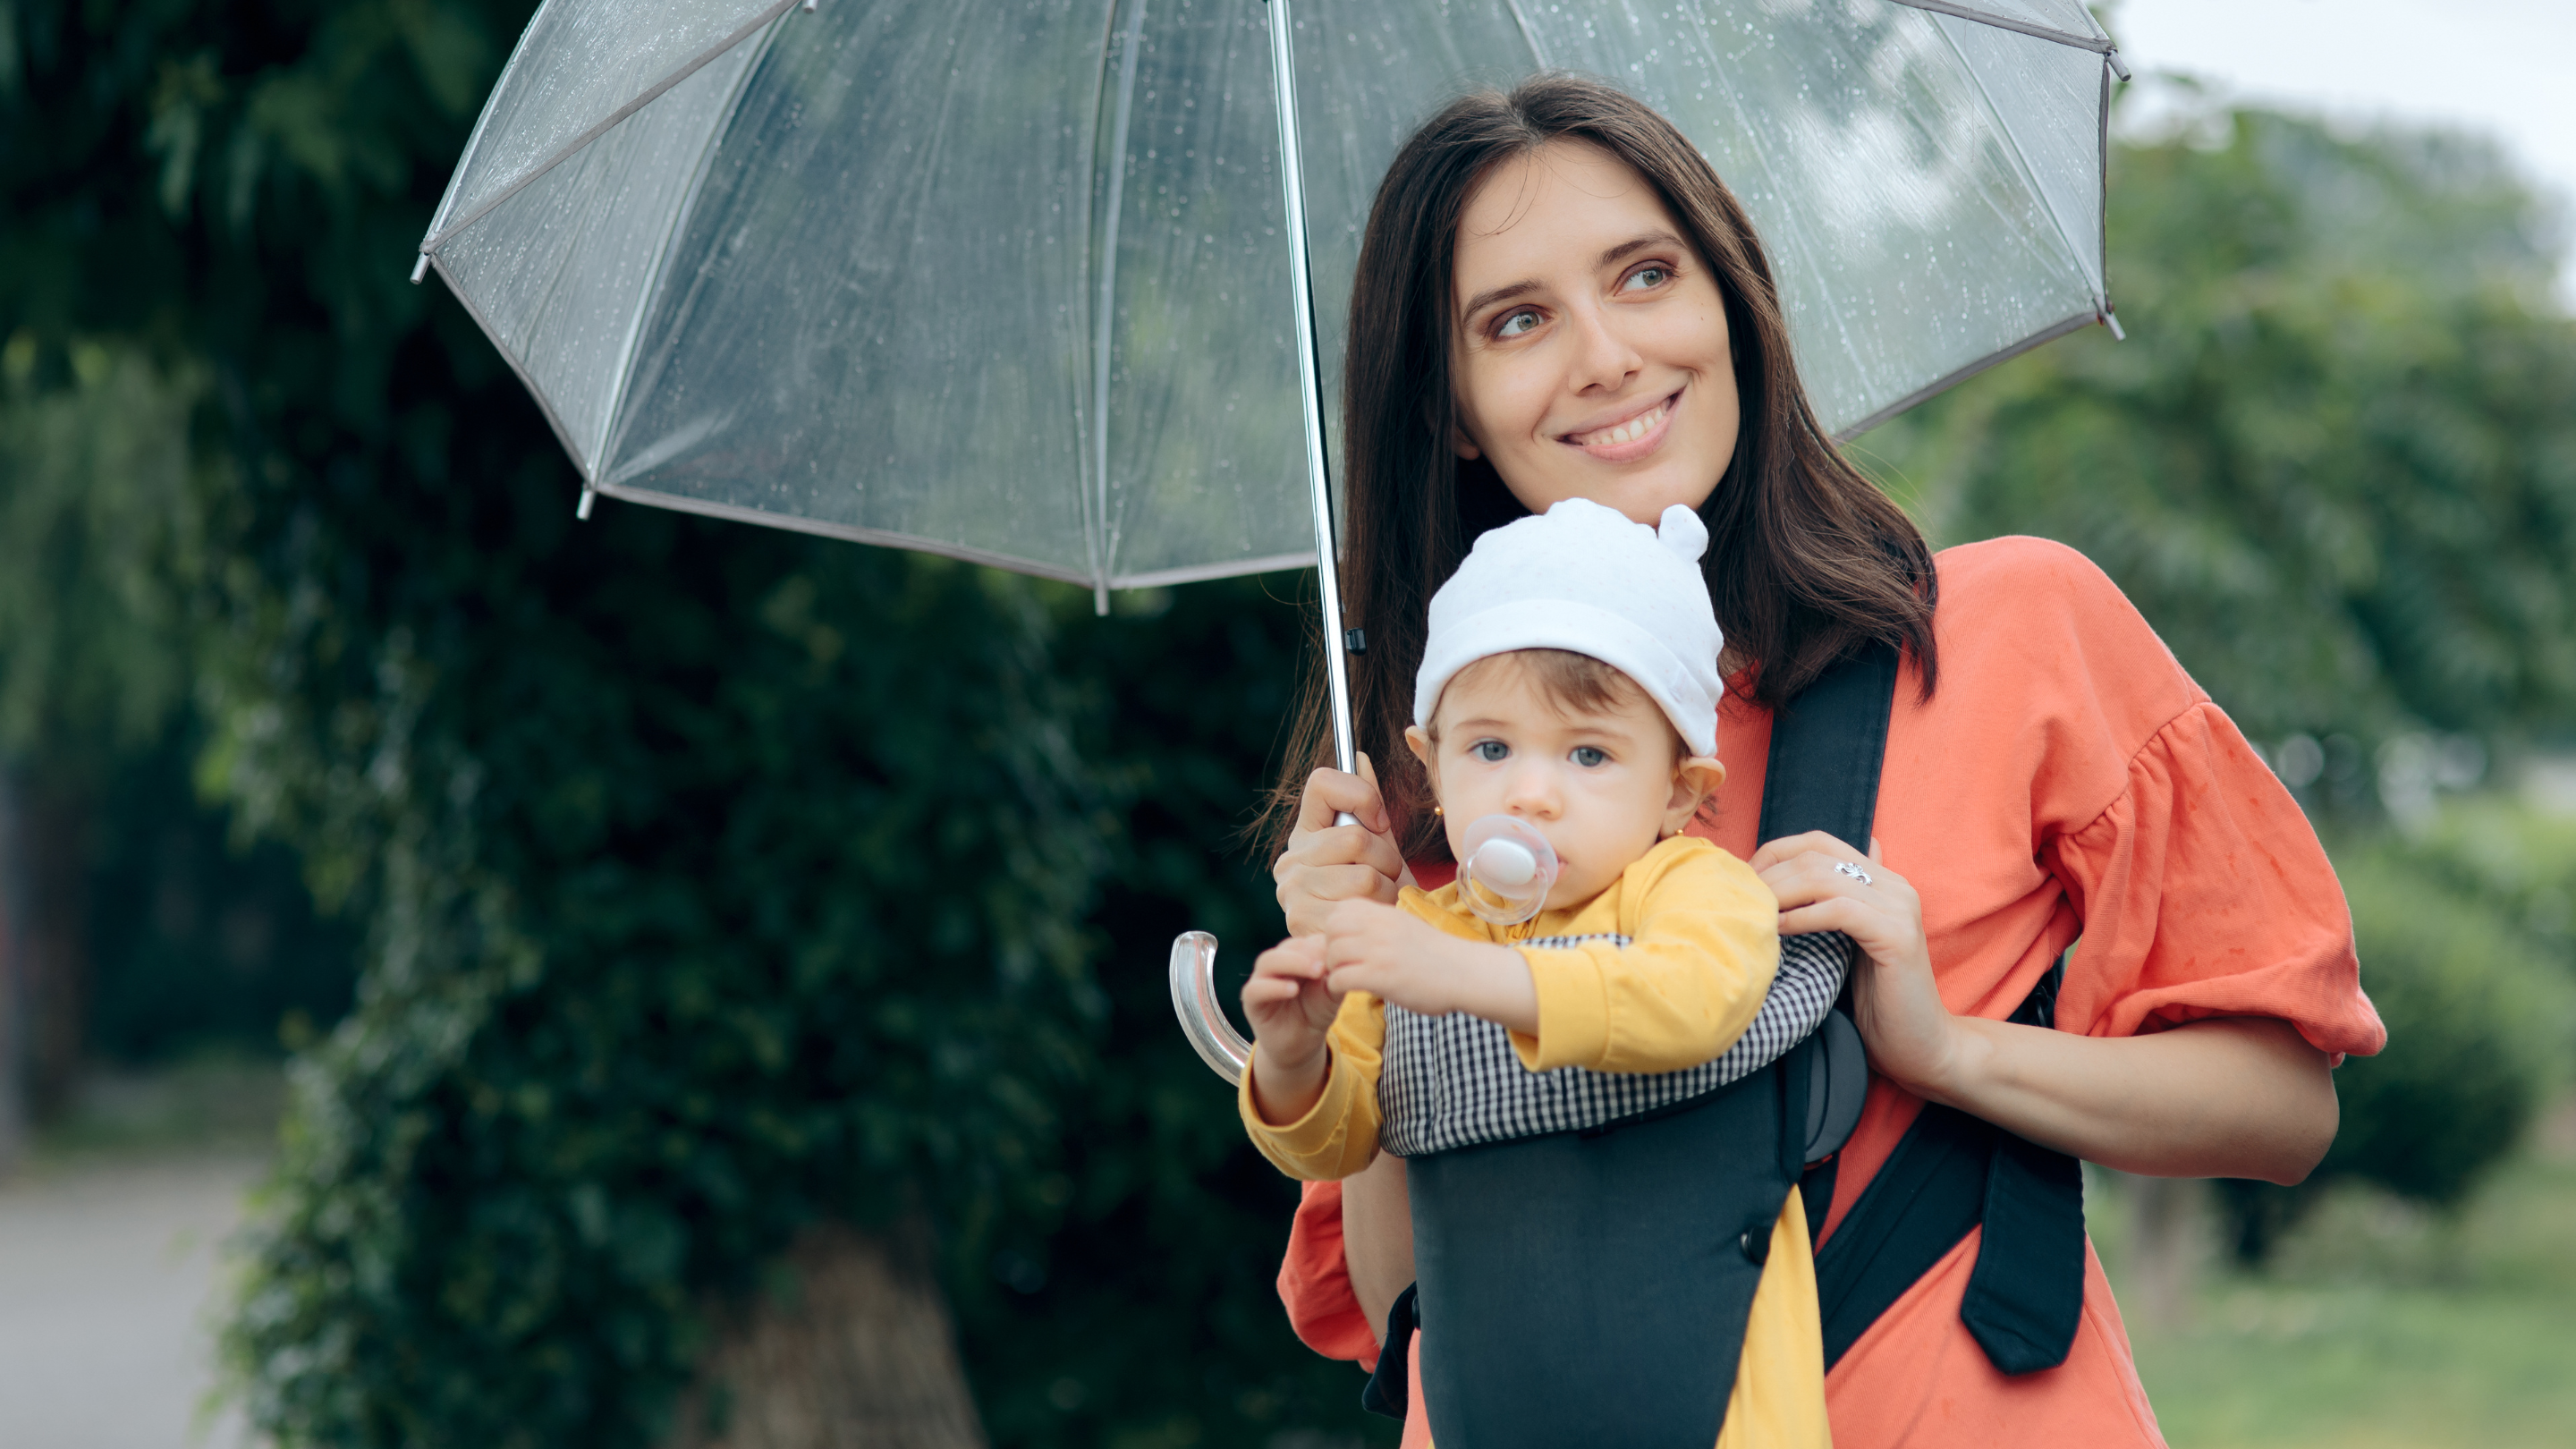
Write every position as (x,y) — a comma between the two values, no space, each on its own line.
(1704,945)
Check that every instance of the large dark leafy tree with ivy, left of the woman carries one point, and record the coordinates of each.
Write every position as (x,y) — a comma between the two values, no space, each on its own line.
(733,899)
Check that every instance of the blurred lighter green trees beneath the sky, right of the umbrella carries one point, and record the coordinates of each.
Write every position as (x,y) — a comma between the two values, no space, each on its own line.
(2335,463)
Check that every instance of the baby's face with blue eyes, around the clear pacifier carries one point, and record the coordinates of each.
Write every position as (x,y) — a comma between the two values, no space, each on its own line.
(1601,785)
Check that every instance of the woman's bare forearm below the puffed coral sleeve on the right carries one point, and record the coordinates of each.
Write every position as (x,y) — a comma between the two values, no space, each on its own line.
(2214,1100)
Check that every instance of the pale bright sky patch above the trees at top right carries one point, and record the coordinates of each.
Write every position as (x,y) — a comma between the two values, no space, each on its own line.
(2492,66)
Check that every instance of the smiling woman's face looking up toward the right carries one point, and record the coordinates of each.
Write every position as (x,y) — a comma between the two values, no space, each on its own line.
(1588,342)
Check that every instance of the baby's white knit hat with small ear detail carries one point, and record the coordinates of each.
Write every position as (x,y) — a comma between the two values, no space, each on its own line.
(1591,581)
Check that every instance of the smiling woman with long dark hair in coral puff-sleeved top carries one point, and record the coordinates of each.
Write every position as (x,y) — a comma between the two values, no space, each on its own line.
(1560,300)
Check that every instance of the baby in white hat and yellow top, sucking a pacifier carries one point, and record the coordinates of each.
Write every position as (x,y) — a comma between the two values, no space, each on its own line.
(1593,963)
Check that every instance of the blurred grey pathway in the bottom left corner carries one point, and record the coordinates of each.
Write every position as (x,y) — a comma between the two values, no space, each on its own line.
(107,1278)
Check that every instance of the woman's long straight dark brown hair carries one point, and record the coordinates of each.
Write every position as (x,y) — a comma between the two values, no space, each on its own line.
(1807,558)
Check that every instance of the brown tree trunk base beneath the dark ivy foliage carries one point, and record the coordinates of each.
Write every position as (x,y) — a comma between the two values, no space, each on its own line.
(857,1355)
